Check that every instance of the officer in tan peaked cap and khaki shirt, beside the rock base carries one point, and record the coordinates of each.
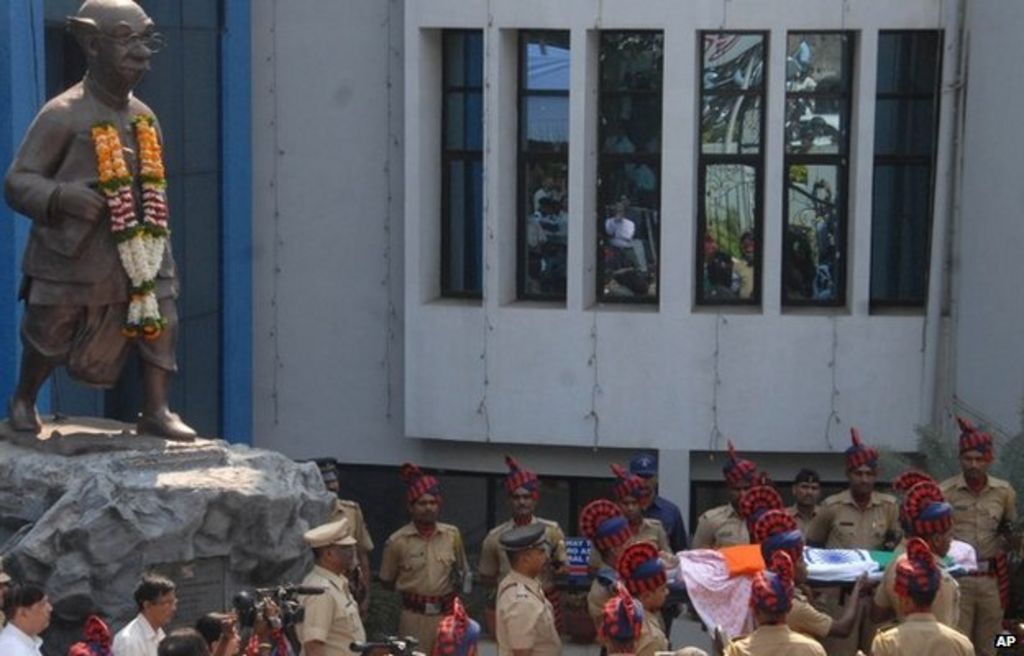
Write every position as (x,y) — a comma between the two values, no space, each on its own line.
(331,622)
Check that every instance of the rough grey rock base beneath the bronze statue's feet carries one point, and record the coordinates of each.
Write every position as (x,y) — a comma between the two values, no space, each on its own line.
(89,506)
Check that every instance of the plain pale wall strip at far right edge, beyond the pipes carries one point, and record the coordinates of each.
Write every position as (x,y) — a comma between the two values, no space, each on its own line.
(989,302)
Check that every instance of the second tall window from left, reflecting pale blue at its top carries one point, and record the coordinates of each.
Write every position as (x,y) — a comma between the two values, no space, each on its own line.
(544,141)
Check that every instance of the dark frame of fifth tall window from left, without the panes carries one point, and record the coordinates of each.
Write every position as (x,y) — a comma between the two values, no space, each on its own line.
(841,161)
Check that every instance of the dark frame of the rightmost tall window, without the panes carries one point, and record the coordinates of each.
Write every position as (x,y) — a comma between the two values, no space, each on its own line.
(911,161)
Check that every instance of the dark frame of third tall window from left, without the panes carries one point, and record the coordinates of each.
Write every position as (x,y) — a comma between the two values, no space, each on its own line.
(653,160)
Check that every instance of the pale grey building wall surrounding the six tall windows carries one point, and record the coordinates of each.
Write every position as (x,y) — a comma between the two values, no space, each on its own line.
(356,354)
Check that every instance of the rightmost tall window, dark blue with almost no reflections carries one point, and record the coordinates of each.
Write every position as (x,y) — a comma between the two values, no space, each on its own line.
(907,120)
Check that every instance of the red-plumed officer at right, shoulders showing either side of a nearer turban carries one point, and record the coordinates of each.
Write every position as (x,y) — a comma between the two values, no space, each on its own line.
(926,515)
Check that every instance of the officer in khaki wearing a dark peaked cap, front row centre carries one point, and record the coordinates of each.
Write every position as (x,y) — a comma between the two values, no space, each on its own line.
(526,621)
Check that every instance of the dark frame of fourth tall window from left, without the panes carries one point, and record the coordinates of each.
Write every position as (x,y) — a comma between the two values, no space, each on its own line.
(757,161)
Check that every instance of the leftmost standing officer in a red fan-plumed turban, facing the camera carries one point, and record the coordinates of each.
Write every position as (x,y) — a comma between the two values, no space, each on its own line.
(424,560)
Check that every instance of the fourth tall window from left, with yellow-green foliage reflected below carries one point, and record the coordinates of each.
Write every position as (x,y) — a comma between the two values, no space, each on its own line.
(731,167)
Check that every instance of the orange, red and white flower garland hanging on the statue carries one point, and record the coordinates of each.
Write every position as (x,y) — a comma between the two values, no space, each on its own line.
(141,245)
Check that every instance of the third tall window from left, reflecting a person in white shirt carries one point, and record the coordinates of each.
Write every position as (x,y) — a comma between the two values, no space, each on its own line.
(629,194)
